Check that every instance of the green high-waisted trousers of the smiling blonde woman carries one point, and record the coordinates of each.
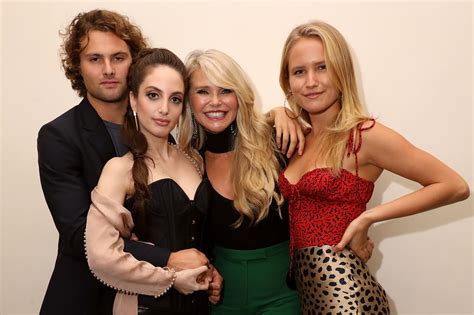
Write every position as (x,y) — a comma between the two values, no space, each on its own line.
(255,282)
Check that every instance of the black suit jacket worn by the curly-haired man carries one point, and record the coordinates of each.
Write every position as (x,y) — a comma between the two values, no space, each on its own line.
(72,150)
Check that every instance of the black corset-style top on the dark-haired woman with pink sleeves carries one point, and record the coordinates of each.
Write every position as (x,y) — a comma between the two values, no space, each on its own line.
(175,222)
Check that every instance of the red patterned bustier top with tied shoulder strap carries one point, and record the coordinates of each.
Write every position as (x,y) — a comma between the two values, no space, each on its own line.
(322,205)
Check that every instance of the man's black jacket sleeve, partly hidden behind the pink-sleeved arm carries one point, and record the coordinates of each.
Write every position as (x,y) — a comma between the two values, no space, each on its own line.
(68,196)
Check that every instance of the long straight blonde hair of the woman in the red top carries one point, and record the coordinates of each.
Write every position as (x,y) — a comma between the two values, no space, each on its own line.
(339,63)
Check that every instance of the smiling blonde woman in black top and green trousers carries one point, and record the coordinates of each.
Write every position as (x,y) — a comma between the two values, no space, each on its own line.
(248,222)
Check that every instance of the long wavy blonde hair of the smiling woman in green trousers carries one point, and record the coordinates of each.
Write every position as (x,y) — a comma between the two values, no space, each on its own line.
(255,167)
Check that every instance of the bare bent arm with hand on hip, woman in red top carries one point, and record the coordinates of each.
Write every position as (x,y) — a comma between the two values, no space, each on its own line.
(388,150)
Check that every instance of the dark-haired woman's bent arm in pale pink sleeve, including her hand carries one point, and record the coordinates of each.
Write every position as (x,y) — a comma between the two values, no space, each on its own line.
(108,222)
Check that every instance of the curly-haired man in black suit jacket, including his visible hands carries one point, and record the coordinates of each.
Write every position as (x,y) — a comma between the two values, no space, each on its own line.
(98,48)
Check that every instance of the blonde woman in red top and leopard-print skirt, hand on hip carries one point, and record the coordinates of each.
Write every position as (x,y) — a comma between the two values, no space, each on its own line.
(329,185)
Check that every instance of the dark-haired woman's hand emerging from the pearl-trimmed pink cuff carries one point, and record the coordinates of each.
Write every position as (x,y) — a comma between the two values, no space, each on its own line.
(187,280)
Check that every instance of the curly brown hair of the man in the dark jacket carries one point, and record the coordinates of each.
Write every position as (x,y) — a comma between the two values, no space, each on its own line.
(95,20)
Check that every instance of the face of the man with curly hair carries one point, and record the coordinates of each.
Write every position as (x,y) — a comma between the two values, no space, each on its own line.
(104,63)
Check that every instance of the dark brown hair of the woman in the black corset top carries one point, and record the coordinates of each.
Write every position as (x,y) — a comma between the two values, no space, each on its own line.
(134,139)
